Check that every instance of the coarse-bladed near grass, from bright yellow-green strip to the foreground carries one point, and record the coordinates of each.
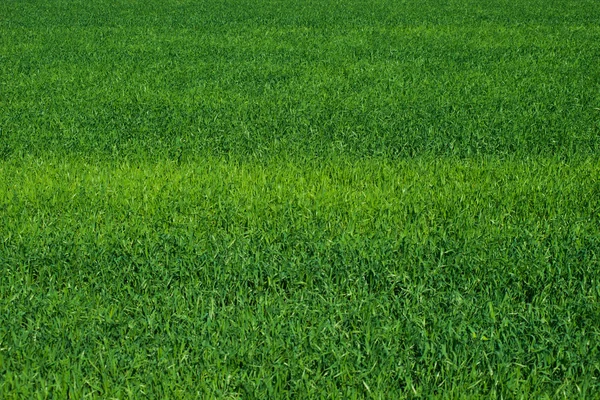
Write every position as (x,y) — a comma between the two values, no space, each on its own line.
(340,278)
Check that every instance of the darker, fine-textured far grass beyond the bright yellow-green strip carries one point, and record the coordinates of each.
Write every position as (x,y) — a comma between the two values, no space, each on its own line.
(186,78)
